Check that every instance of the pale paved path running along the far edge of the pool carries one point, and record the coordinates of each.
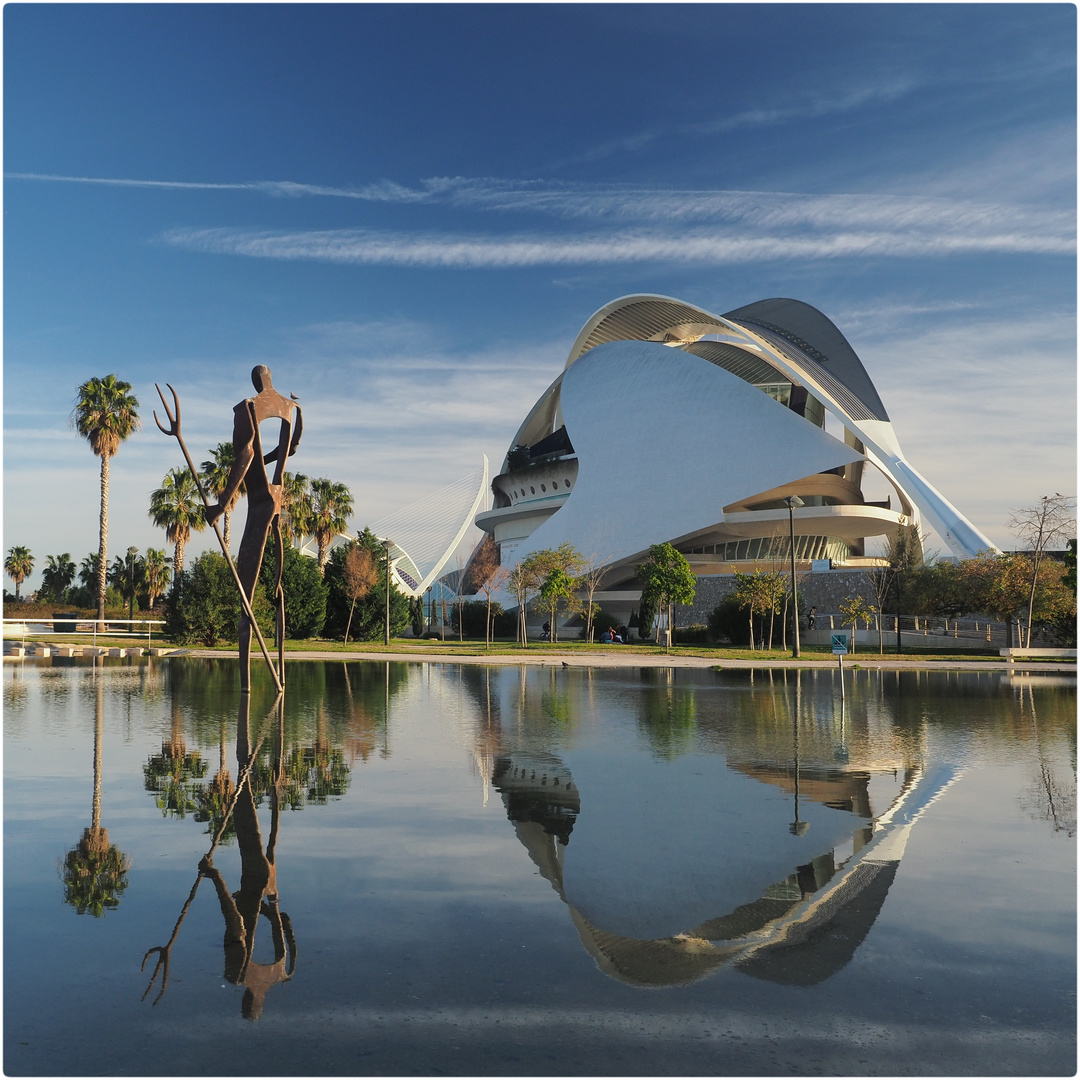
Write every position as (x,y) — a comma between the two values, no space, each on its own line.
(656,660)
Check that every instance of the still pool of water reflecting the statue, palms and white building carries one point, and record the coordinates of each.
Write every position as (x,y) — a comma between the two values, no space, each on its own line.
(440,869)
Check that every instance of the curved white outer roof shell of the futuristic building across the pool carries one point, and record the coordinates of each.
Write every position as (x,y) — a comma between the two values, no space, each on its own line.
(638,367)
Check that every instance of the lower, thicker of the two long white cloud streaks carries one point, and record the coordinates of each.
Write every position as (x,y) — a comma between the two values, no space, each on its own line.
(697,247)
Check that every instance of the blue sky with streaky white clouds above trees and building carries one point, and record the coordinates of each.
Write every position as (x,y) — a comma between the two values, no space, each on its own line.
(408,212)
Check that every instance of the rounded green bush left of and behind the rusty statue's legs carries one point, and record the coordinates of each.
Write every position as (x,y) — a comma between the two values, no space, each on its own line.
(207,612)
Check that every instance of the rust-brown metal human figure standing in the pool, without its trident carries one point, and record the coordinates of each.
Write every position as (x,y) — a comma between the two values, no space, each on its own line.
(264,498)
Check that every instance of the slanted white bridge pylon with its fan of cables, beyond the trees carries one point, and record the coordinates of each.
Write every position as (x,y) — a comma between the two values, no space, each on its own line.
(425,535)
